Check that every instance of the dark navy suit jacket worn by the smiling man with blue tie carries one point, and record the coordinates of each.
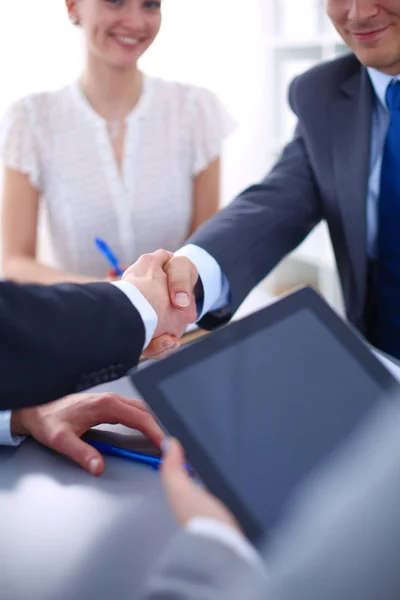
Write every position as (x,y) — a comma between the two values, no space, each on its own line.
(322,174)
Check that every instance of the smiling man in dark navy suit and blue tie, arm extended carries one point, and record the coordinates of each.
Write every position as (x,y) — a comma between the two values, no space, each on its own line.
(343,166)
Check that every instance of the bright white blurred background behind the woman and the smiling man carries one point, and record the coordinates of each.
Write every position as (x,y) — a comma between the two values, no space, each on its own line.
(247,51)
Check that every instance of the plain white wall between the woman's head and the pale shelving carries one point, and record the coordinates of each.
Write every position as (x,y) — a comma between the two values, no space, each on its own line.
(220,44)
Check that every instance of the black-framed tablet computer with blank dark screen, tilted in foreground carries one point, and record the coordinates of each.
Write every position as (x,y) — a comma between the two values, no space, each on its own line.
(260,403)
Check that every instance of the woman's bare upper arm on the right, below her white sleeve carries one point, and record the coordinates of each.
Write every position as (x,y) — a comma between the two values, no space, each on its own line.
(206,194)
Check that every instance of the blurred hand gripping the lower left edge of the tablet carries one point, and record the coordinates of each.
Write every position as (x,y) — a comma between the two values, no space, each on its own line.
(187,499)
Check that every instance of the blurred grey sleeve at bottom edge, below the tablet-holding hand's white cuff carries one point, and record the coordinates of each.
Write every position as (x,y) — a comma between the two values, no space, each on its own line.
(197,568)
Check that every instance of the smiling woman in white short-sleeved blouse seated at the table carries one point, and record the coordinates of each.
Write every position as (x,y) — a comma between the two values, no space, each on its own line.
(118,155)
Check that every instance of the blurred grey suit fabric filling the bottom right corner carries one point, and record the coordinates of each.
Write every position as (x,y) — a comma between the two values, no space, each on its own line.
(342,538)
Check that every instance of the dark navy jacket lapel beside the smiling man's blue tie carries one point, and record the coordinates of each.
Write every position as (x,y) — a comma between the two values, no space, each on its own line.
(352,118)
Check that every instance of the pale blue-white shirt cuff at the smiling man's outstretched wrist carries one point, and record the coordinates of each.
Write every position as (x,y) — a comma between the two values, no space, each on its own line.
(215,284)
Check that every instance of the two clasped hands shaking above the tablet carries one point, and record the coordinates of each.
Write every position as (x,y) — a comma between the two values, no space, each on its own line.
(167,283)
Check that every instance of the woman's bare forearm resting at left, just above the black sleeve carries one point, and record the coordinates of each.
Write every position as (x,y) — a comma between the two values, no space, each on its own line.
(26,269)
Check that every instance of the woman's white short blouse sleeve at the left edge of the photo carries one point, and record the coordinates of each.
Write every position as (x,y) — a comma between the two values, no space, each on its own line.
(18,146)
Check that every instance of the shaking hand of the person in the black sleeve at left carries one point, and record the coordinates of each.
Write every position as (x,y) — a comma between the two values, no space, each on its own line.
(148,275)
